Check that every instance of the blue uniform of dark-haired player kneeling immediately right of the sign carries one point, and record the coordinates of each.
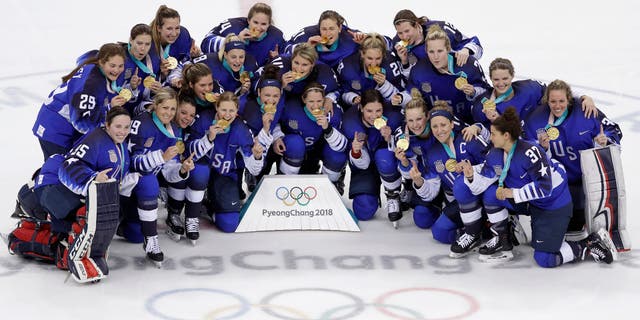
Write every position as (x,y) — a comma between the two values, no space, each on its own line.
(364,187)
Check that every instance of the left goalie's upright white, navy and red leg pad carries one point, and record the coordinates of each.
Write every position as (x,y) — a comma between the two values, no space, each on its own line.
(92,233)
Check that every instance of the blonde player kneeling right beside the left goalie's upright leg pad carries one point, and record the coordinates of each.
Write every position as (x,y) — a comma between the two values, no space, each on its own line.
(156,146)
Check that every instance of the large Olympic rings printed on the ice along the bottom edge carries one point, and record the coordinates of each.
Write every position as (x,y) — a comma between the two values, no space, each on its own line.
(393,304)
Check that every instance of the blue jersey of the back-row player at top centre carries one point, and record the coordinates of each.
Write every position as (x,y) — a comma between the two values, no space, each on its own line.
(343,47)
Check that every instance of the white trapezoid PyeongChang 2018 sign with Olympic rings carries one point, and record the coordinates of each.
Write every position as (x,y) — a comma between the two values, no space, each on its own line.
(302,202)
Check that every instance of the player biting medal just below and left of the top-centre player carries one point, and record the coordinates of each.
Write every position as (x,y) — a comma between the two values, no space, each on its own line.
(301,68)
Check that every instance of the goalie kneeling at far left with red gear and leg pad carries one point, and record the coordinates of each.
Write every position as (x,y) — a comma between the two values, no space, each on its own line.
(79,192)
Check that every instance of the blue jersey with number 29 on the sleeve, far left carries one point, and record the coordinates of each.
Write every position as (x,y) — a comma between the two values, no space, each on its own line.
(74,108)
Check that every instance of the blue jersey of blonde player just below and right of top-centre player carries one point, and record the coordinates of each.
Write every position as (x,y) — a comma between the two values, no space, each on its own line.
(354,79)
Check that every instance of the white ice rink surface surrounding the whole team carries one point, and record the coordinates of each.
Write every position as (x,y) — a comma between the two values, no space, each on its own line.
(378,273)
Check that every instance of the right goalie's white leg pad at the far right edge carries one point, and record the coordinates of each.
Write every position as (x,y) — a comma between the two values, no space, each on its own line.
(604,188)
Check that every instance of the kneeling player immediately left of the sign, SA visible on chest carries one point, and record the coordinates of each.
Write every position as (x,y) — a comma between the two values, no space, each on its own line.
(232,136)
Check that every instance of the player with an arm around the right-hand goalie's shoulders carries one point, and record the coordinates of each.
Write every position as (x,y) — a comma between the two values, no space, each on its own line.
(524,95)
